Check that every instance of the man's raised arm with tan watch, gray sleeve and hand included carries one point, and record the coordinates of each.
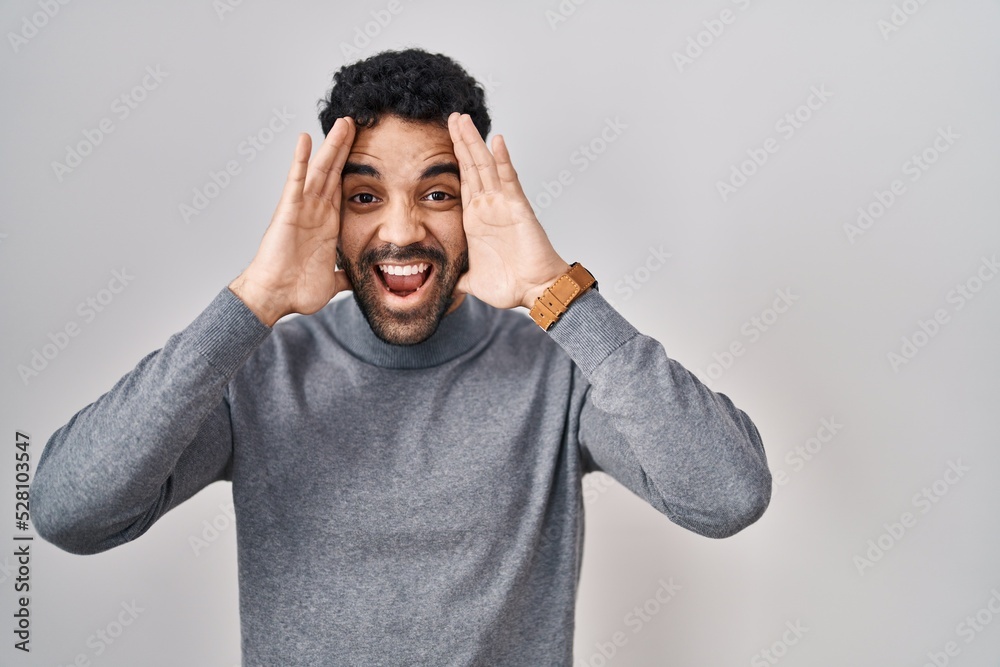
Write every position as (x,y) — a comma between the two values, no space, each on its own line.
(646,421)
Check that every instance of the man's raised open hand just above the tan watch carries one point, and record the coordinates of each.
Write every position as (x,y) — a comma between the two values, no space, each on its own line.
(511,261)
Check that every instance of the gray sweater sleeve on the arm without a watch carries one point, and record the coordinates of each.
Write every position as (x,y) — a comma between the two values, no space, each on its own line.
(155,439)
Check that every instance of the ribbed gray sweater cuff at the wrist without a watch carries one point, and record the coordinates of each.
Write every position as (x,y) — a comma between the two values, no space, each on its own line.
(227,332)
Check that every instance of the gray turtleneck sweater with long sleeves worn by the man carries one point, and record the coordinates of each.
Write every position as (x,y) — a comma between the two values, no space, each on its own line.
(402,505)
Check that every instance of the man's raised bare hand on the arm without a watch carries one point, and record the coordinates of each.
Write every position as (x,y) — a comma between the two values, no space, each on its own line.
(294,268)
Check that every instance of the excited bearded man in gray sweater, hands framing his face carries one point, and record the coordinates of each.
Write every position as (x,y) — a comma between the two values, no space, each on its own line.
(406,465)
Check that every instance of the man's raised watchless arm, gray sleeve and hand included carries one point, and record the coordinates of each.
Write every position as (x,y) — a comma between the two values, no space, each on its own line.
(163,432)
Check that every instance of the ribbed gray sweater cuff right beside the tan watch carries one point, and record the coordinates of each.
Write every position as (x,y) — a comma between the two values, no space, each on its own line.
(590,330)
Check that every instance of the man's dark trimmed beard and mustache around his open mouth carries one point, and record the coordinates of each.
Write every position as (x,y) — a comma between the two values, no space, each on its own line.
(416,323)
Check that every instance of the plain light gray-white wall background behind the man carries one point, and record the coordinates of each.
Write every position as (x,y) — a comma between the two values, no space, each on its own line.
(554,84)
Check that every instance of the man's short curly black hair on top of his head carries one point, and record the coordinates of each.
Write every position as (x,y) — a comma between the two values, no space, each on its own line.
(412,84)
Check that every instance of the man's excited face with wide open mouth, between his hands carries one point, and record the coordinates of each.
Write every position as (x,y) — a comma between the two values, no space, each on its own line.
(401,241)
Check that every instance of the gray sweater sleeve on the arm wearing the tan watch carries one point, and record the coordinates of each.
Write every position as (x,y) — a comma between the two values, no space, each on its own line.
(654,427)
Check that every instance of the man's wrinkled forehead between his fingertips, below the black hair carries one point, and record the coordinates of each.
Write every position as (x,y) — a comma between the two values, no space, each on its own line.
(399,147)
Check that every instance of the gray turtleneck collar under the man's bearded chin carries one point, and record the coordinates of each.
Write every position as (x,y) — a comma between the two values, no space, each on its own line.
(457,333)
